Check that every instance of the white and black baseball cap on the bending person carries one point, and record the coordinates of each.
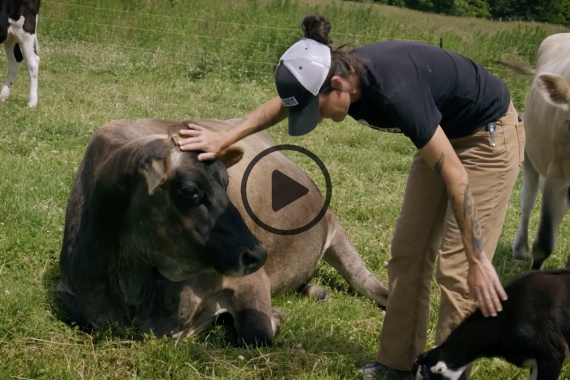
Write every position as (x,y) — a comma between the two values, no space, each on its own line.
(301,72)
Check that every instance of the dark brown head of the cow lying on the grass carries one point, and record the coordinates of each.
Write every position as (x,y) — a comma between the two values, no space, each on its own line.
(180,216)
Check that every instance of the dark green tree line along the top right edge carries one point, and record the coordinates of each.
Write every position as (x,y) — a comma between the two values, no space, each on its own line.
(550,11)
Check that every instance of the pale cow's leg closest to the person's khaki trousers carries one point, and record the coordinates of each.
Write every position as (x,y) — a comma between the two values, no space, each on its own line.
(529,193)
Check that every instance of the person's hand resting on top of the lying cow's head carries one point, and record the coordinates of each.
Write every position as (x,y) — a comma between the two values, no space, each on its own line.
(201,139)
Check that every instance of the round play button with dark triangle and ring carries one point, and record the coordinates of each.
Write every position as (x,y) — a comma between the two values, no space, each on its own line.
(280,196)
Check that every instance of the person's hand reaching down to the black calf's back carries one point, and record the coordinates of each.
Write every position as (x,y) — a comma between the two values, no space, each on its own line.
(485,287)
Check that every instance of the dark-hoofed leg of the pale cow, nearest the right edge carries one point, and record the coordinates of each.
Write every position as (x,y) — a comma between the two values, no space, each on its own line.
(554,206)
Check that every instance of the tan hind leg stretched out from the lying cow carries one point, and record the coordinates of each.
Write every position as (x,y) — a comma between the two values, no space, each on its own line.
(343,256)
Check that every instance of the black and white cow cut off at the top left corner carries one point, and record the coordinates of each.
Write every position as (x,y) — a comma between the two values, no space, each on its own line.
(18,24)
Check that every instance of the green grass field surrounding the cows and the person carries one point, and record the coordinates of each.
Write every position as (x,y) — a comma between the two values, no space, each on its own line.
(162,59)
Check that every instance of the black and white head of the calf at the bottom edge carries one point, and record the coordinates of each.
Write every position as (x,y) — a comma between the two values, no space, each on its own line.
(431,366)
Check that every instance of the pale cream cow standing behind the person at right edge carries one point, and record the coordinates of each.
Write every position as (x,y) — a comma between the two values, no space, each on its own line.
(547,150)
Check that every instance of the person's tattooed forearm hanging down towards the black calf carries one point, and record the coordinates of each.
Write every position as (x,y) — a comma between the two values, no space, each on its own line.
(465,211)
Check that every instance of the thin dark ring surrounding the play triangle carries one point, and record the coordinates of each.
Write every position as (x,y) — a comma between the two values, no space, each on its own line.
(258,158)
